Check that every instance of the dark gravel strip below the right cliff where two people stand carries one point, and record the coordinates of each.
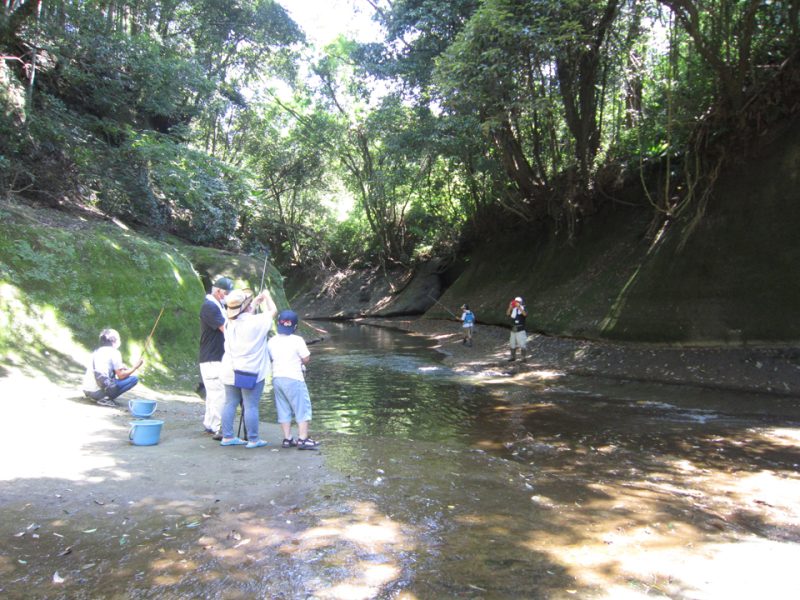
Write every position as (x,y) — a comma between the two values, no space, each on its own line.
(774,370)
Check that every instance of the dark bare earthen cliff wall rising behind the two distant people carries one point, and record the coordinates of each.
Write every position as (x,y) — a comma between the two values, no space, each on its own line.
(733,281)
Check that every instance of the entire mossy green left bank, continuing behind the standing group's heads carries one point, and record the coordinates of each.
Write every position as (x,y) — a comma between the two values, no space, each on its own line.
(64,277)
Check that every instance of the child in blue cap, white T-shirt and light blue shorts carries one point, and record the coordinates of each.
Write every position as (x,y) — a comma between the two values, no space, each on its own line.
(289,355)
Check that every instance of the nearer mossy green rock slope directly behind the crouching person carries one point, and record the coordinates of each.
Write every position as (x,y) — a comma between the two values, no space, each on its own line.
(62,285)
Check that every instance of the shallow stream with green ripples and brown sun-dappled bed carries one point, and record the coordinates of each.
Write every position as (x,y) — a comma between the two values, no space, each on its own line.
(563,486)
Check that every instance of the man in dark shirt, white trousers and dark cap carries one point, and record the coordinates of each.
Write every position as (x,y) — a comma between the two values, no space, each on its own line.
(212,347)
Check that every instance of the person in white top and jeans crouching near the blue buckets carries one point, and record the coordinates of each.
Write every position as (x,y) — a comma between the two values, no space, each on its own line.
(106,375)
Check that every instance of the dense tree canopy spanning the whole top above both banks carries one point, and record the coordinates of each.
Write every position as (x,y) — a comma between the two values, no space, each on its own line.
(213,120)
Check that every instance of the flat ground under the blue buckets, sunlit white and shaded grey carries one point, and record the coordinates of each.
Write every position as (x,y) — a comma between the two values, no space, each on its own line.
(85,512)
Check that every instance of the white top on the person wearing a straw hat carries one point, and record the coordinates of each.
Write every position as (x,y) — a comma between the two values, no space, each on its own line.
(246,346)
